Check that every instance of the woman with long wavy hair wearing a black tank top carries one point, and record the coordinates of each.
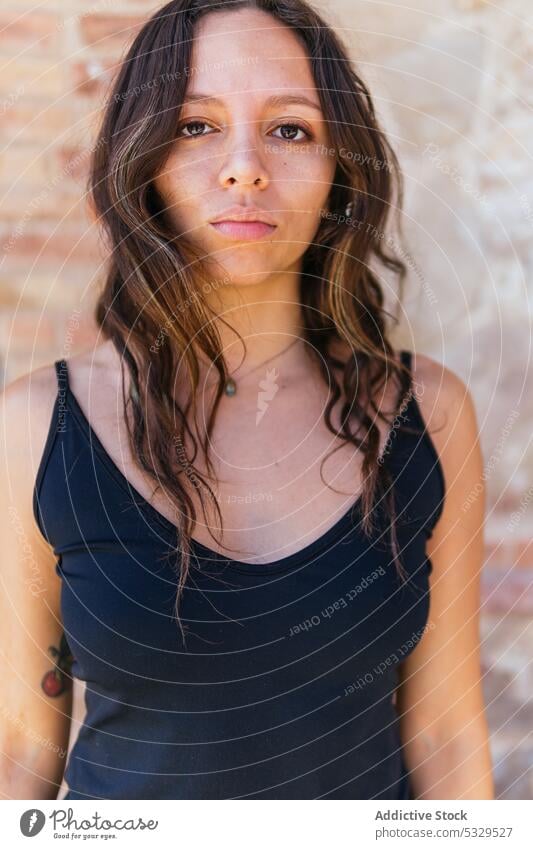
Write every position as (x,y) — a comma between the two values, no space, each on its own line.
(250,502)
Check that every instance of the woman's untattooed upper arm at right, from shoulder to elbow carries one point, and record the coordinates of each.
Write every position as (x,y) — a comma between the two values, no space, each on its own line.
(440,693)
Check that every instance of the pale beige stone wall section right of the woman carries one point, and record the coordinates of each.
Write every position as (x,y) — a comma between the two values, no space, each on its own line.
(453,82)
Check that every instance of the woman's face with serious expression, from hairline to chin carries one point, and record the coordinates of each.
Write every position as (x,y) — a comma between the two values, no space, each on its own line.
(245,140)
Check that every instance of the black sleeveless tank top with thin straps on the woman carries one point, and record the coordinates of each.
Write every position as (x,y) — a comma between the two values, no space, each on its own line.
(284,687)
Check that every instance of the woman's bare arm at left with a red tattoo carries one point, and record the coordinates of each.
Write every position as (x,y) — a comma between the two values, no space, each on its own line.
(36,693)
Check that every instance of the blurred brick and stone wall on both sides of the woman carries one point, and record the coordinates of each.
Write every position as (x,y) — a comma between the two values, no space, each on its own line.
(452,81)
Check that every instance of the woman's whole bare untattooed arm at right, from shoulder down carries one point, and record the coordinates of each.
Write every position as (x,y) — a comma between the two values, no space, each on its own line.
(440,698)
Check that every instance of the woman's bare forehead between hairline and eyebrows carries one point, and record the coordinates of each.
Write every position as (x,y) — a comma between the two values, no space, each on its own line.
(248,52)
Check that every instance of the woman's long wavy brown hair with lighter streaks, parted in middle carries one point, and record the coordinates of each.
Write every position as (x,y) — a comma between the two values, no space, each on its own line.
(155,279)
